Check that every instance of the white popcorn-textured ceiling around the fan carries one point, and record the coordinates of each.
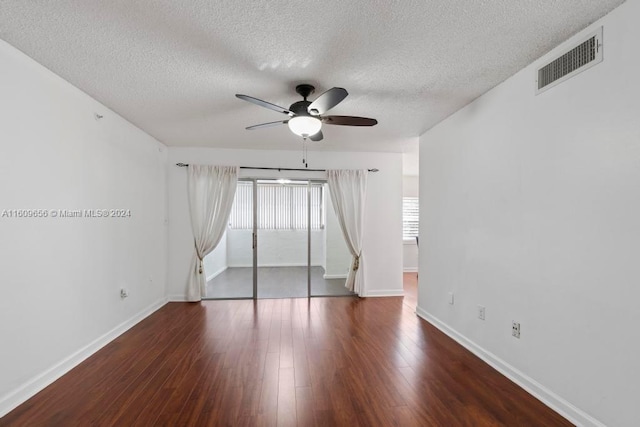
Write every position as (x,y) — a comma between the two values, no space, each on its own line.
(172,67)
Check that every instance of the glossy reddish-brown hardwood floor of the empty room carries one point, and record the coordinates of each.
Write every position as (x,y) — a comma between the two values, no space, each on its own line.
(323,361)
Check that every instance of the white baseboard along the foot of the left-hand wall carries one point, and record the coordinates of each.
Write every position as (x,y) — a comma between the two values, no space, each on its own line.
(15,398)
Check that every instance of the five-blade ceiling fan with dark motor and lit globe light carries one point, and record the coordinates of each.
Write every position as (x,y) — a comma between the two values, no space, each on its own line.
(306,117)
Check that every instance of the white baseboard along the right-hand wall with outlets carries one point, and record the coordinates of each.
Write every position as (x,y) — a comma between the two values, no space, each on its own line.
(546,396)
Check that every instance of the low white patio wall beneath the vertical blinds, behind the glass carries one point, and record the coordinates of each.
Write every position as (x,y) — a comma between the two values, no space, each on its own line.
(276,248)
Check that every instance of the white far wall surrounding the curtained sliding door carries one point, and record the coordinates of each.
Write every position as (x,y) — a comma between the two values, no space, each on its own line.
(383,225)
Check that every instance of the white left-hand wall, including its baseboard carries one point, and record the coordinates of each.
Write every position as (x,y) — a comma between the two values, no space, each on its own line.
(61,277)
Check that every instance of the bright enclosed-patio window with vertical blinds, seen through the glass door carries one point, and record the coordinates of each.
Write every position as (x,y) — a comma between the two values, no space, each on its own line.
(280,206)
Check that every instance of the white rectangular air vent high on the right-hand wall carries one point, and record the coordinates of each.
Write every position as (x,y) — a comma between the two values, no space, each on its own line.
(581,57)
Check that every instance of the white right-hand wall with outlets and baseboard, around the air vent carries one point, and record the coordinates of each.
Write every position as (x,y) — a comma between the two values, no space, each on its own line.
(530,206)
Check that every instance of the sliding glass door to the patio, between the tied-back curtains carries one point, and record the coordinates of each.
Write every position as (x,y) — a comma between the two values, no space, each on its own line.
(283,241)
